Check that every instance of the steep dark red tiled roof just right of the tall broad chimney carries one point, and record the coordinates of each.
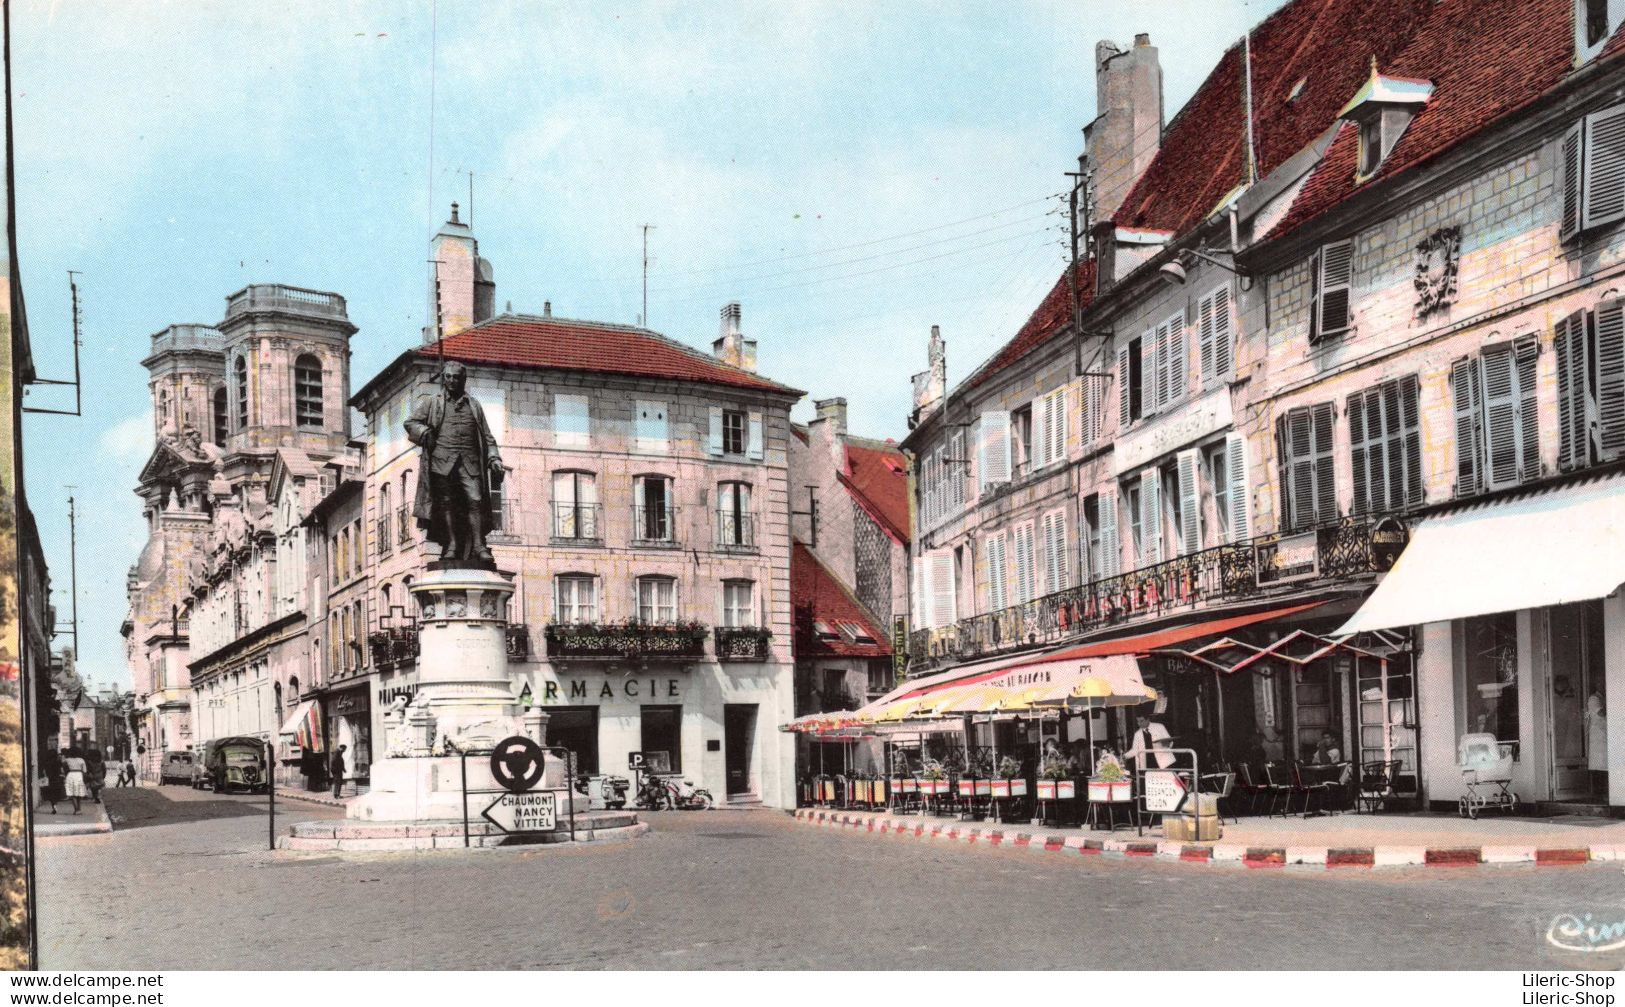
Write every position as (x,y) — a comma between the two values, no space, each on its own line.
(1327,45)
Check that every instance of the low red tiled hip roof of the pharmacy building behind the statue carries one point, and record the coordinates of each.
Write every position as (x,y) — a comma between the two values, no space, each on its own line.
(594,347)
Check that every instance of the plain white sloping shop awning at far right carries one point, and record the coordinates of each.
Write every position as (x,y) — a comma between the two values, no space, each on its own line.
(1520,553)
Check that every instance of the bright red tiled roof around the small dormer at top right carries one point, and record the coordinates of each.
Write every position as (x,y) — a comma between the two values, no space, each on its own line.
(1484,63)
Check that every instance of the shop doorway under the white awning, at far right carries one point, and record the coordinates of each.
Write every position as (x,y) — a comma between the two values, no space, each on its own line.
(1577,735)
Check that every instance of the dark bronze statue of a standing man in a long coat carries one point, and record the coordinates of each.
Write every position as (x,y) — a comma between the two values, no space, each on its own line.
(461,467)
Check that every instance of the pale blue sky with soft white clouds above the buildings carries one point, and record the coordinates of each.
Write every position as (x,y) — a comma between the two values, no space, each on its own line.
(852,173)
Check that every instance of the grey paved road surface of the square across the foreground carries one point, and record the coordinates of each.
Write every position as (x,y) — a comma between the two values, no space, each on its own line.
(194,888)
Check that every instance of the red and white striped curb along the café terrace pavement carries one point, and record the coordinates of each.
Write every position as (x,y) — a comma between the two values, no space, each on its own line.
(1216,854)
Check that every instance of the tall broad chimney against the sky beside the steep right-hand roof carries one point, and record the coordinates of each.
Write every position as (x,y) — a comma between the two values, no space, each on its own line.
(1129,121)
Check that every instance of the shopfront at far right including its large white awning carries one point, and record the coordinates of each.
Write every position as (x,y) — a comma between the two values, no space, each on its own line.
(1520,637)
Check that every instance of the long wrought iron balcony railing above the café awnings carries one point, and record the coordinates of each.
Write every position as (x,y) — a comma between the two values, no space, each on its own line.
(1234,573)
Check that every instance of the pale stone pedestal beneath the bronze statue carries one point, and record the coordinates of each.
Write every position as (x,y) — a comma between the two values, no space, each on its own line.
(466,702)
